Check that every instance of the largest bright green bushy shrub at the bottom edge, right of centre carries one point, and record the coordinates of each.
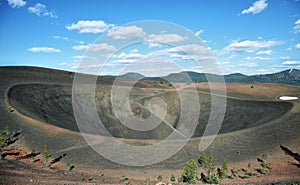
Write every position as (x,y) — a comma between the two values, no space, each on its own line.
(190,172)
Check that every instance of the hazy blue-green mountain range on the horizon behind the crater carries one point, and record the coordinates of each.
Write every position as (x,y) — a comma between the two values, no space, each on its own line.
(291,77)
